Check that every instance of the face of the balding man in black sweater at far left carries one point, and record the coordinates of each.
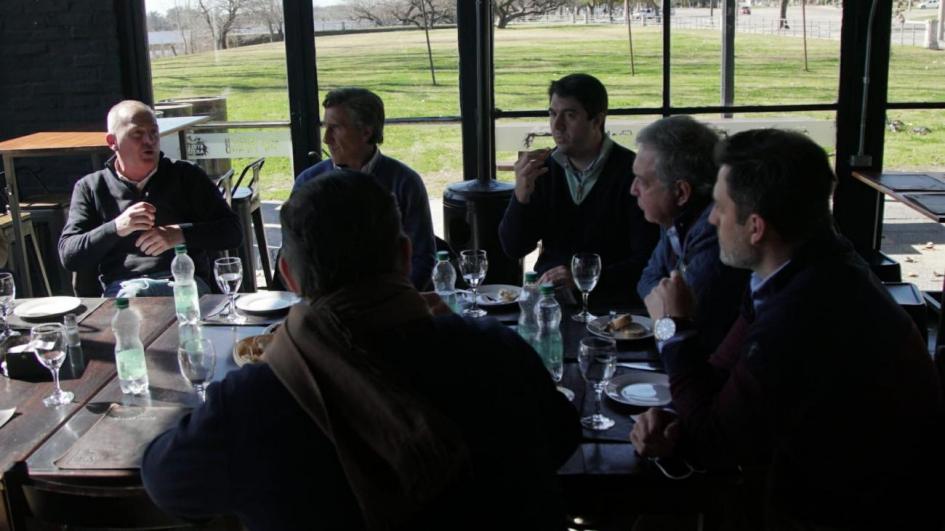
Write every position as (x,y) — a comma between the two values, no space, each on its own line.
(137,145)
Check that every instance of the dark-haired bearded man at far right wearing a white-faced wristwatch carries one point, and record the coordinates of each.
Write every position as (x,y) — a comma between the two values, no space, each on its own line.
(823,383)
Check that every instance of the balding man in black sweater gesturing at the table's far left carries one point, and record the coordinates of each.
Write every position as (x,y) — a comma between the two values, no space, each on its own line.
(125,219)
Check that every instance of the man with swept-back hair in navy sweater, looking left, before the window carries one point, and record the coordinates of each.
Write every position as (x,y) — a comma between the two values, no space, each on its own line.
(354,130)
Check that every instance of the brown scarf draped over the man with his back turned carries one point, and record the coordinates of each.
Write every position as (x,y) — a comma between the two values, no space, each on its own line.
(398,452)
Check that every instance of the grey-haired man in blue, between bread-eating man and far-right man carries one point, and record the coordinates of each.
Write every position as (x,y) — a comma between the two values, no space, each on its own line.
(674,172)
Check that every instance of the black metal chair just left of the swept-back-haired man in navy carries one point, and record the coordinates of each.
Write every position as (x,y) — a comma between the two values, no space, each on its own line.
(248,206)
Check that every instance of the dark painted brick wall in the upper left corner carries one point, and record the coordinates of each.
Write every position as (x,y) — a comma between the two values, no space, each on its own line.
(59,71)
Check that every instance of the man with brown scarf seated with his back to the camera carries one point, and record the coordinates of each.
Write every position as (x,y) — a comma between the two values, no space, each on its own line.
(364,414)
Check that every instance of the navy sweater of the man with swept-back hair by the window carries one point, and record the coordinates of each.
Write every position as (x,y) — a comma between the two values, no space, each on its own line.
(414,205)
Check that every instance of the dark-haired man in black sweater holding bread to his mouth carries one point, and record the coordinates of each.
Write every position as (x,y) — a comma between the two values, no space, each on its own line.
(576,198)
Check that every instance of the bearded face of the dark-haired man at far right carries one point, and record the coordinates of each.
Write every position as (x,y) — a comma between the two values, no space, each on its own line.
(735,248)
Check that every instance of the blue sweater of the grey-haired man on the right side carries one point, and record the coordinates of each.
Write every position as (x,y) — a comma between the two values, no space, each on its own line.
(718,289)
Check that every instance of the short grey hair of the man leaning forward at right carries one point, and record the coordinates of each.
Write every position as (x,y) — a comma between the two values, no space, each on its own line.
(684,151)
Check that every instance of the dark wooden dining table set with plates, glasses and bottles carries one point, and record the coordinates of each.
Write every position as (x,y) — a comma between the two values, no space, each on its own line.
(34,442)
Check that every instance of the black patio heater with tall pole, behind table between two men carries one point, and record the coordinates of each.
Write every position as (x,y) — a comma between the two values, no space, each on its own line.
(473,208)
